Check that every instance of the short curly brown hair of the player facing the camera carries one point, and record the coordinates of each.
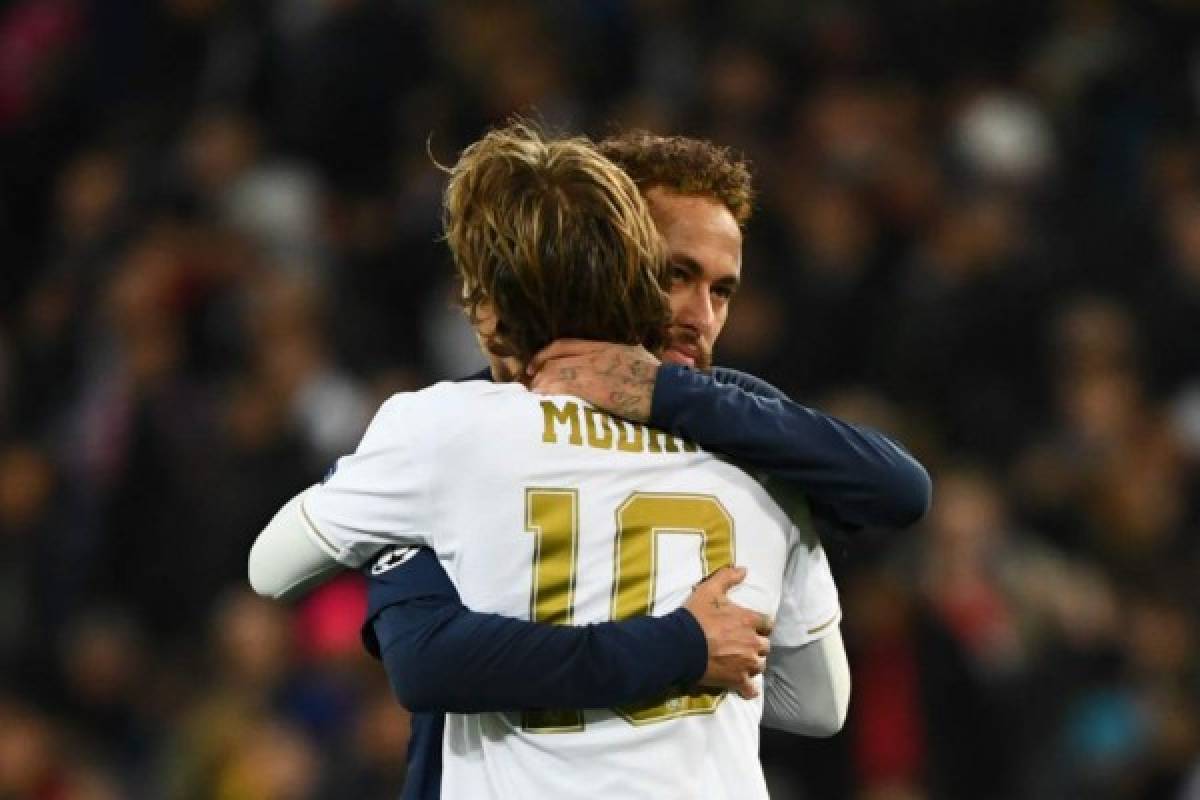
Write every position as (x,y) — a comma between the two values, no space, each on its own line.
(686,166)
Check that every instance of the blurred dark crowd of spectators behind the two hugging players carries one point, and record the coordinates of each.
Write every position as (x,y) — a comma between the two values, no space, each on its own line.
(979,230)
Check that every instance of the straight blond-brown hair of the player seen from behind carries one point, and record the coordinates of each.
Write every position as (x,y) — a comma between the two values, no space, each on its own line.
(557,240)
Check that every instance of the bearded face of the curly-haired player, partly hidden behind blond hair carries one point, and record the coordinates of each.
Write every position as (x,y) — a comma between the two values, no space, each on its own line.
(705,246)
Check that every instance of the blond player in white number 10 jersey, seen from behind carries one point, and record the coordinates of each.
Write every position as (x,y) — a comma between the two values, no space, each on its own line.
(548,509)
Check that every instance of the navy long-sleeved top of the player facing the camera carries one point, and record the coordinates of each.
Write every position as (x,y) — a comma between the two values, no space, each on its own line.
(441,655)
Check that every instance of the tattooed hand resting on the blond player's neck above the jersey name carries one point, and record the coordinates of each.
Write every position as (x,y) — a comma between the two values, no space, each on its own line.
(616,378)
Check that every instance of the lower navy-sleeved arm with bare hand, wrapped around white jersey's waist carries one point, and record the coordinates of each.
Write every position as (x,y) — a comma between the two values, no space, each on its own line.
(441,657)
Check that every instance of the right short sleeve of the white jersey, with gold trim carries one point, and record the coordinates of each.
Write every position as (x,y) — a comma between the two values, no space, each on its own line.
(809,609)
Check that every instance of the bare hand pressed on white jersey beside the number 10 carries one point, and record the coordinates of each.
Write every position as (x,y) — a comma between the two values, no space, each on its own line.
(736,636)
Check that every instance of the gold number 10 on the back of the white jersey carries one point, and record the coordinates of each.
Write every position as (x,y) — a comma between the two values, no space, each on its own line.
(553,518)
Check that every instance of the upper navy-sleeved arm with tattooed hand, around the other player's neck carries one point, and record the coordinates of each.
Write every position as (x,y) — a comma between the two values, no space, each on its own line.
(855,476)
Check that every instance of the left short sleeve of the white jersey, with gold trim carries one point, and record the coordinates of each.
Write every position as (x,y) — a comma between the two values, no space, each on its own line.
(380,495)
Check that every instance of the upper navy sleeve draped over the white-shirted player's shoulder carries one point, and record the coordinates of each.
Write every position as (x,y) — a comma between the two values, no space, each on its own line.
(851,473)
